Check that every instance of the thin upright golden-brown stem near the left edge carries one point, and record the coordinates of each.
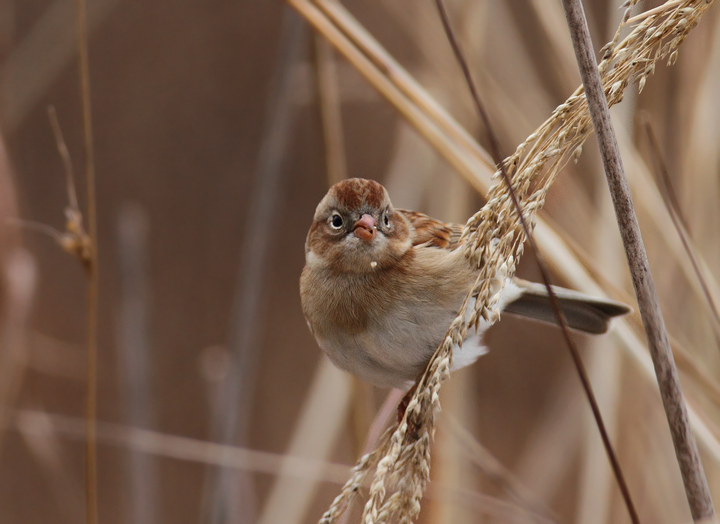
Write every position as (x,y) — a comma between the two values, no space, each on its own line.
(92,269)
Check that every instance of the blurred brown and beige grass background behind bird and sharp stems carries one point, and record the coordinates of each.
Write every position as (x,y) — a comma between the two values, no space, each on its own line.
(211,155)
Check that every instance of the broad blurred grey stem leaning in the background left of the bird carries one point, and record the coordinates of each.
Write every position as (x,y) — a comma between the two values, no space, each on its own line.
(228,492)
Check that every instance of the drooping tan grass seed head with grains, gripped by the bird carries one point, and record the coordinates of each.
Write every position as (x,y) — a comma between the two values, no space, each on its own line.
(494,242)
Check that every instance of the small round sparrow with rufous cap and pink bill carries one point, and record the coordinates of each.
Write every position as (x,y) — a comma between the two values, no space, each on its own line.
(381,286)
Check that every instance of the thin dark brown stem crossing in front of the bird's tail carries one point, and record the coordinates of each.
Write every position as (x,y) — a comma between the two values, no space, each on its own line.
(579,366)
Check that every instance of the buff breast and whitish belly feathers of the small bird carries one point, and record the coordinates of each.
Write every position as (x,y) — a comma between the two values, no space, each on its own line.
(384,329)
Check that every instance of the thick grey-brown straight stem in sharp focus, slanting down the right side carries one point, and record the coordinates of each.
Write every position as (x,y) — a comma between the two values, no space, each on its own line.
(696,488)
